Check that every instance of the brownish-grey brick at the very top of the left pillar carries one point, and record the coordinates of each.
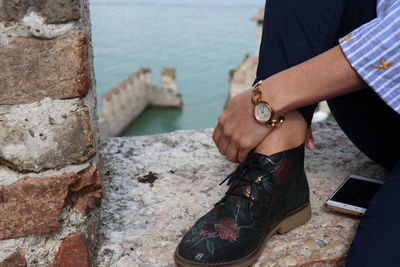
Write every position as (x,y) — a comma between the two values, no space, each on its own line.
(55,11)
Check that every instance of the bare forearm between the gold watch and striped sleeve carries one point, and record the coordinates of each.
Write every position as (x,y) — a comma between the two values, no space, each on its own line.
(323,77)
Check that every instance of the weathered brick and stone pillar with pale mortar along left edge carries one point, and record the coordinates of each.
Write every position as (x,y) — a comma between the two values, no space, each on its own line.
(50,185)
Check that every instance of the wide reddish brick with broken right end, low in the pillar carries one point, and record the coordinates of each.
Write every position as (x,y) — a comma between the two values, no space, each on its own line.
(33,205)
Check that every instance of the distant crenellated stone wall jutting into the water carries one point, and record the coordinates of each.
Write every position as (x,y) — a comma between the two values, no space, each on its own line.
(125,102)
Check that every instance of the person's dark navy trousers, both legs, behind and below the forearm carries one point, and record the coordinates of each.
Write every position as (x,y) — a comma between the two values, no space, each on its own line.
(295,31)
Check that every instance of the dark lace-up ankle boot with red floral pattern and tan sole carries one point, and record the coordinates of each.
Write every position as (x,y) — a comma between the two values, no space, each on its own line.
(267,194)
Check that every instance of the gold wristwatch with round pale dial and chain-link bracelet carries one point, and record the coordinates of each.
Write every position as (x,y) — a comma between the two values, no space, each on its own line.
(263,112)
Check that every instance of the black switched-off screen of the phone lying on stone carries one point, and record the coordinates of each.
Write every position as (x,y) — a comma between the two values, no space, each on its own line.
(356,192)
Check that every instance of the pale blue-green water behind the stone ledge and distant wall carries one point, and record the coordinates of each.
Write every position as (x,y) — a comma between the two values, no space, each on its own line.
(202,39)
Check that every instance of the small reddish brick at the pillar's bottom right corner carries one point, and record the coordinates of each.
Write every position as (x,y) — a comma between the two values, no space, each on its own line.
(72,253)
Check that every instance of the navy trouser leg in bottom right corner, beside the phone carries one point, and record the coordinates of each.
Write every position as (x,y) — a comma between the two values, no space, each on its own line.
(377,239)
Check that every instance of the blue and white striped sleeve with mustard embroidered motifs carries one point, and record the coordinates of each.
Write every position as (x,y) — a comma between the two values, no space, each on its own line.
(374,52)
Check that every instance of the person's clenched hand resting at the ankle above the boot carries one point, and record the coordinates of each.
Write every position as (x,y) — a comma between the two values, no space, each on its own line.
(237,132)
